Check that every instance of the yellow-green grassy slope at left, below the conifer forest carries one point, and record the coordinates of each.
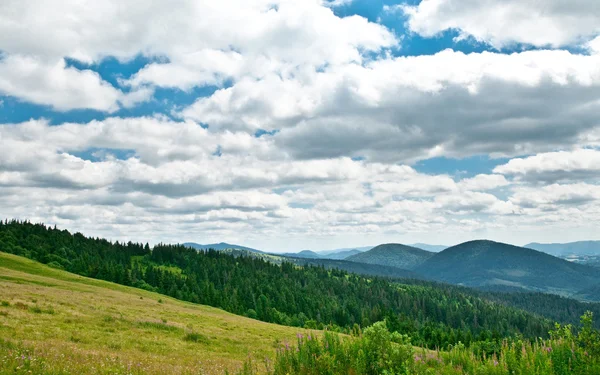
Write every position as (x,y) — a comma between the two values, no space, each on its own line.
(81,325)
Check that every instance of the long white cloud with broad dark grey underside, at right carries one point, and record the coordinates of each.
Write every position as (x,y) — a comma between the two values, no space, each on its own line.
(410,108)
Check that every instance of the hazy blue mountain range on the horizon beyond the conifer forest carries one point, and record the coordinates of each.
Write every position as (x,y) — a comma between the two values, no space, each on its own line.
(480,264)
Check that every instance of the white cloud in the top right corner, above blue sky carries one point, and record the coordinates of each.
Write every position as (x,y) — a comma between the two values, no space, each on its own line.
(504,22)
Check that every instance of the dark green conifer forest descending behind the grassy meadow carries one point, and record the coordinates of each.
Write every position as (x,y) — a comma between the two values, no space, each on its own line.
(285,294)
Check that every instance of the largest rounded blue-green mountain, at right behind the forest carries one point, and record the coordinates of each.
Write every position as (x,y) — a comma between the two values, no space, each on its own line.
(491,264)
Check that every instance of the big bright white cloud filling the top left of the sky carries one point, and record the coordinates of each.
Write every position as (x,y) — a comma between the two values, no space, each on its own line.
(204,44)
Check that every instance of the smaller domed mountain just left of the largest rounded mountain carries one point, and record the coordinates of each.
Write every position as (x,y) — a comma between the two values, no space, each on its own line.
(393,254)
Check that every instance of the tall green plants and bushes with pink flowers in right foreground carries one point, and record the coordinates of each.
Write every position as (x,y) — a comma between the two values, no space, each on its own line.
(377,351)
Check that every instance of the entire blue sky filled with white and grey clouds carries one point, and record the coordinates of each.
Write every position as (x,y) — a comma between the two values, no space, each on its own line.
(303,124)
